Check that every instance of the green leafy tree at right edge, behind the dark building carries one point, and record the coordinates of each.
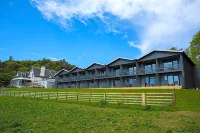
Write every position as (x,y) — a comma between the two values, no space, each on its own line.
(194,49)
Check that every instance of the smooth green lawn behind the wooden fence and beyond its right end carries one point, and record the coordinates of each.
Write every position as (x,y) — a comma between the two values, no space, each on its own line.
(187,100)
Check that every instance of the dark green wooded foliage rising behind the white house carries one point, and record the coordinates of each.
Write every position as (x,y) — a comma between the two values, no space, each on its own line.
(9,68)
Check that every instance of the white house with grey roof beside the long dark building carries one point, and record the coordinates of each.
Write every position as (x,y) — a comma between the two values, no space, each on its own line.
(36,77)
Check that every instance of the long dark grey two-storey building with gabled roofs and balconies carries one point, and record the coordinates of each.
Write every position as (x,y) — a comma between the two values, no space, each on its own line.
(158,68)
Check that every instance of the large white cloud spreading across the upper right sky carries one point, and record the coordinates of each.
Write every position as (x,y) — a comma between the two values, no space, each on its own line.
(163,23)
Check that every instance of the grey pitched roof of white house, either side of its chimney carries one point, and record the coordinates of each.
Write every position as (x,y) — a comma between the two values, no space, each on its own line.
(48,73)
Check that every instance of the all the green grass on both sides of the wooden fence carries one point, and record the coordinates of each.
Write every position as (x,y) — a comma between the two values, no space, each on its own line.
(36,115)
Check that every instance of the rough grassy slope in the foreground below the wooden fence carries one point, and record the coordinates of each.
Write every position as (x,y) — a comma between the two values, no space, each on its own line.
(31,115)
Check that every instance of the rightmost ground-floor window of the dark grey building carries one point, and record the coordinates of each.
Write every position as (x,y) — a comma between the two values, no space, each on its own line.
(172,80)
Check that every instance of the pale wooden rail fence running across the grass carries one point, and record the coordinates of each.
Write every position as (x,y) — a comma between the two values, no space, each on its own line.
(151,99)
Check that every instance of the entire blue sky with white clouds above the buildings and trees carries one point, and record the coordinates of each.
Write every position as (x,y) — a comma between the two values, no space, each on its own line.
(88,31)
